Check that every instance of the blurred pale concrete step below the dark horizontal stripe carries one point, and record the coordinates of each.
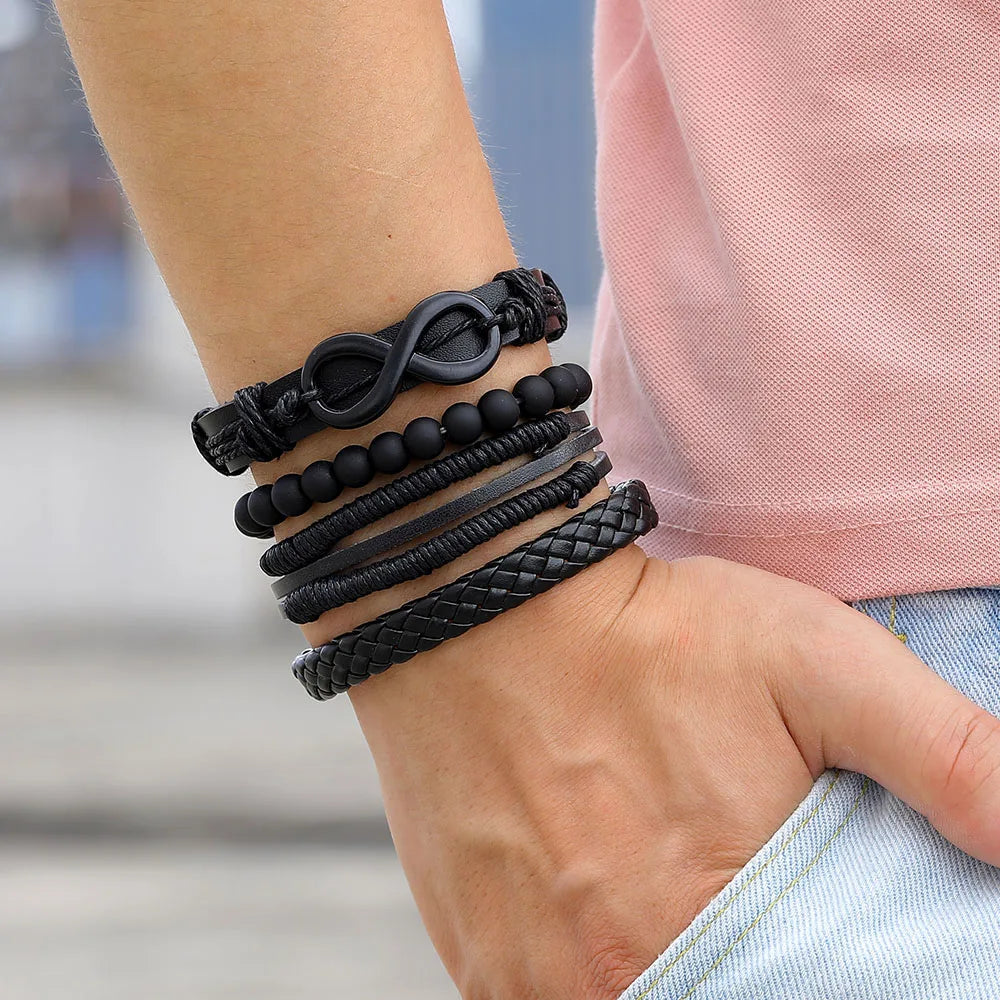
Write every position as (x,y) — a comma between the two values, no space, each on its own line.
(167,922)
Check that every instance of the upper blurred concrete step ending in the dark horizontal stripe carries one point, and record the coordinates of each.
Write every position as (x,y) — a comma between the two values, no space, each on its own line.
(155,738)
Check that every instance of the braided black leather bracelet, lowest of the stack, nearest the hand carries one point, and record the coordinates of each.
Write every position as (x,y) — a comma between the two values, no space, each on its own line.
(478,597)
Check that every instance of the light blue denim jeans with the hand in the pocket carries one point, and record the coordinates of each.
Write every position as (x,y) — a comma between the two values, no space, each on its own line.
(857,897)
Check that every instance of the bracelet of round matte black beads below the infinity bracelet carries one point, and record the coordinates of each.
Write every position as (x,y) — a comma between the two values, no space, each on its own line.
(559,386)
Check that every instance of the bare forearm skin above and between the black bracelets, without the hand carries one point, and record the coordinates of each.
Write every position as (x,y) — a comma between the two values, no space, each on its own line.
(296,174)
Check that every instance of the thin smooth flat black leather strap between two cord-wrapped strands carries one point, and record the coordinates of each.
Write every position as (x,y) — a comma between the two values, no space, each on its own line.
(402,534)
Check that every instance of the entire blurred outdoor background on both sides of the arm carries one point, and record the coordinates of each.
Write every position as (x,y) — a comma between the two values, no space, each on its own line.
(176,818)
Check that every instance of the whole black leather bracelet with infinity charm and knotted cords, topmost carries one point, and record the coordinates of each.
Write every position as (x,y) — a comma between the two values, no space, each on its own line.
(348,380)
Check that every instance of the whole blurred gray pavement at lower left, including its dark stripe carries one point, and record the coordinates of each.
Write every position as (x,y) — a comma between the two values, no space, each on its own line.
(179,822)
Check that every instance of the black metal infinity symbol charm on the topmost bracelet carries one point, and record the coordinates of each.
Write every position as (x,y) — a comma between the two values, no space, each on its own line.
(399,359)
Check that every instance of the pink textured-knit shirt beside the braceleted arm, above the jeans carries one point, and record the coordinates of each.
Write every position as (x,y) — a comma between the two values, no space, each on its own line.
(798,330)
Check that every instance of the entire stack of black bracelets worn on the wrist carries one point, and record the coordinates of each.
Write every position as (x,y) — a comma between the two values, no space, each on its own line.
(348,381)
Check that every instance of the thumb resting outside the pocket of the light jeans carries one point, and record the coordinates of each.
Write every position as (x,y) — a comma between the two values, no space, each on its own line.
(870,705)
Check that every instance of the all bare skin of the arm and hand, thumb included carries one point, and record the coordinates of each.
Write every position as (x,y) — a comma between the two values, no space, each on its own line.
(566,786)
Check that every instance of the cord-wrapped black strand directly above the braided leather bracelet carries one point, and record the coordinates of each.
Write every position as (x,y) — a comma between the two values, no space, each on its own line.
(306,604)
